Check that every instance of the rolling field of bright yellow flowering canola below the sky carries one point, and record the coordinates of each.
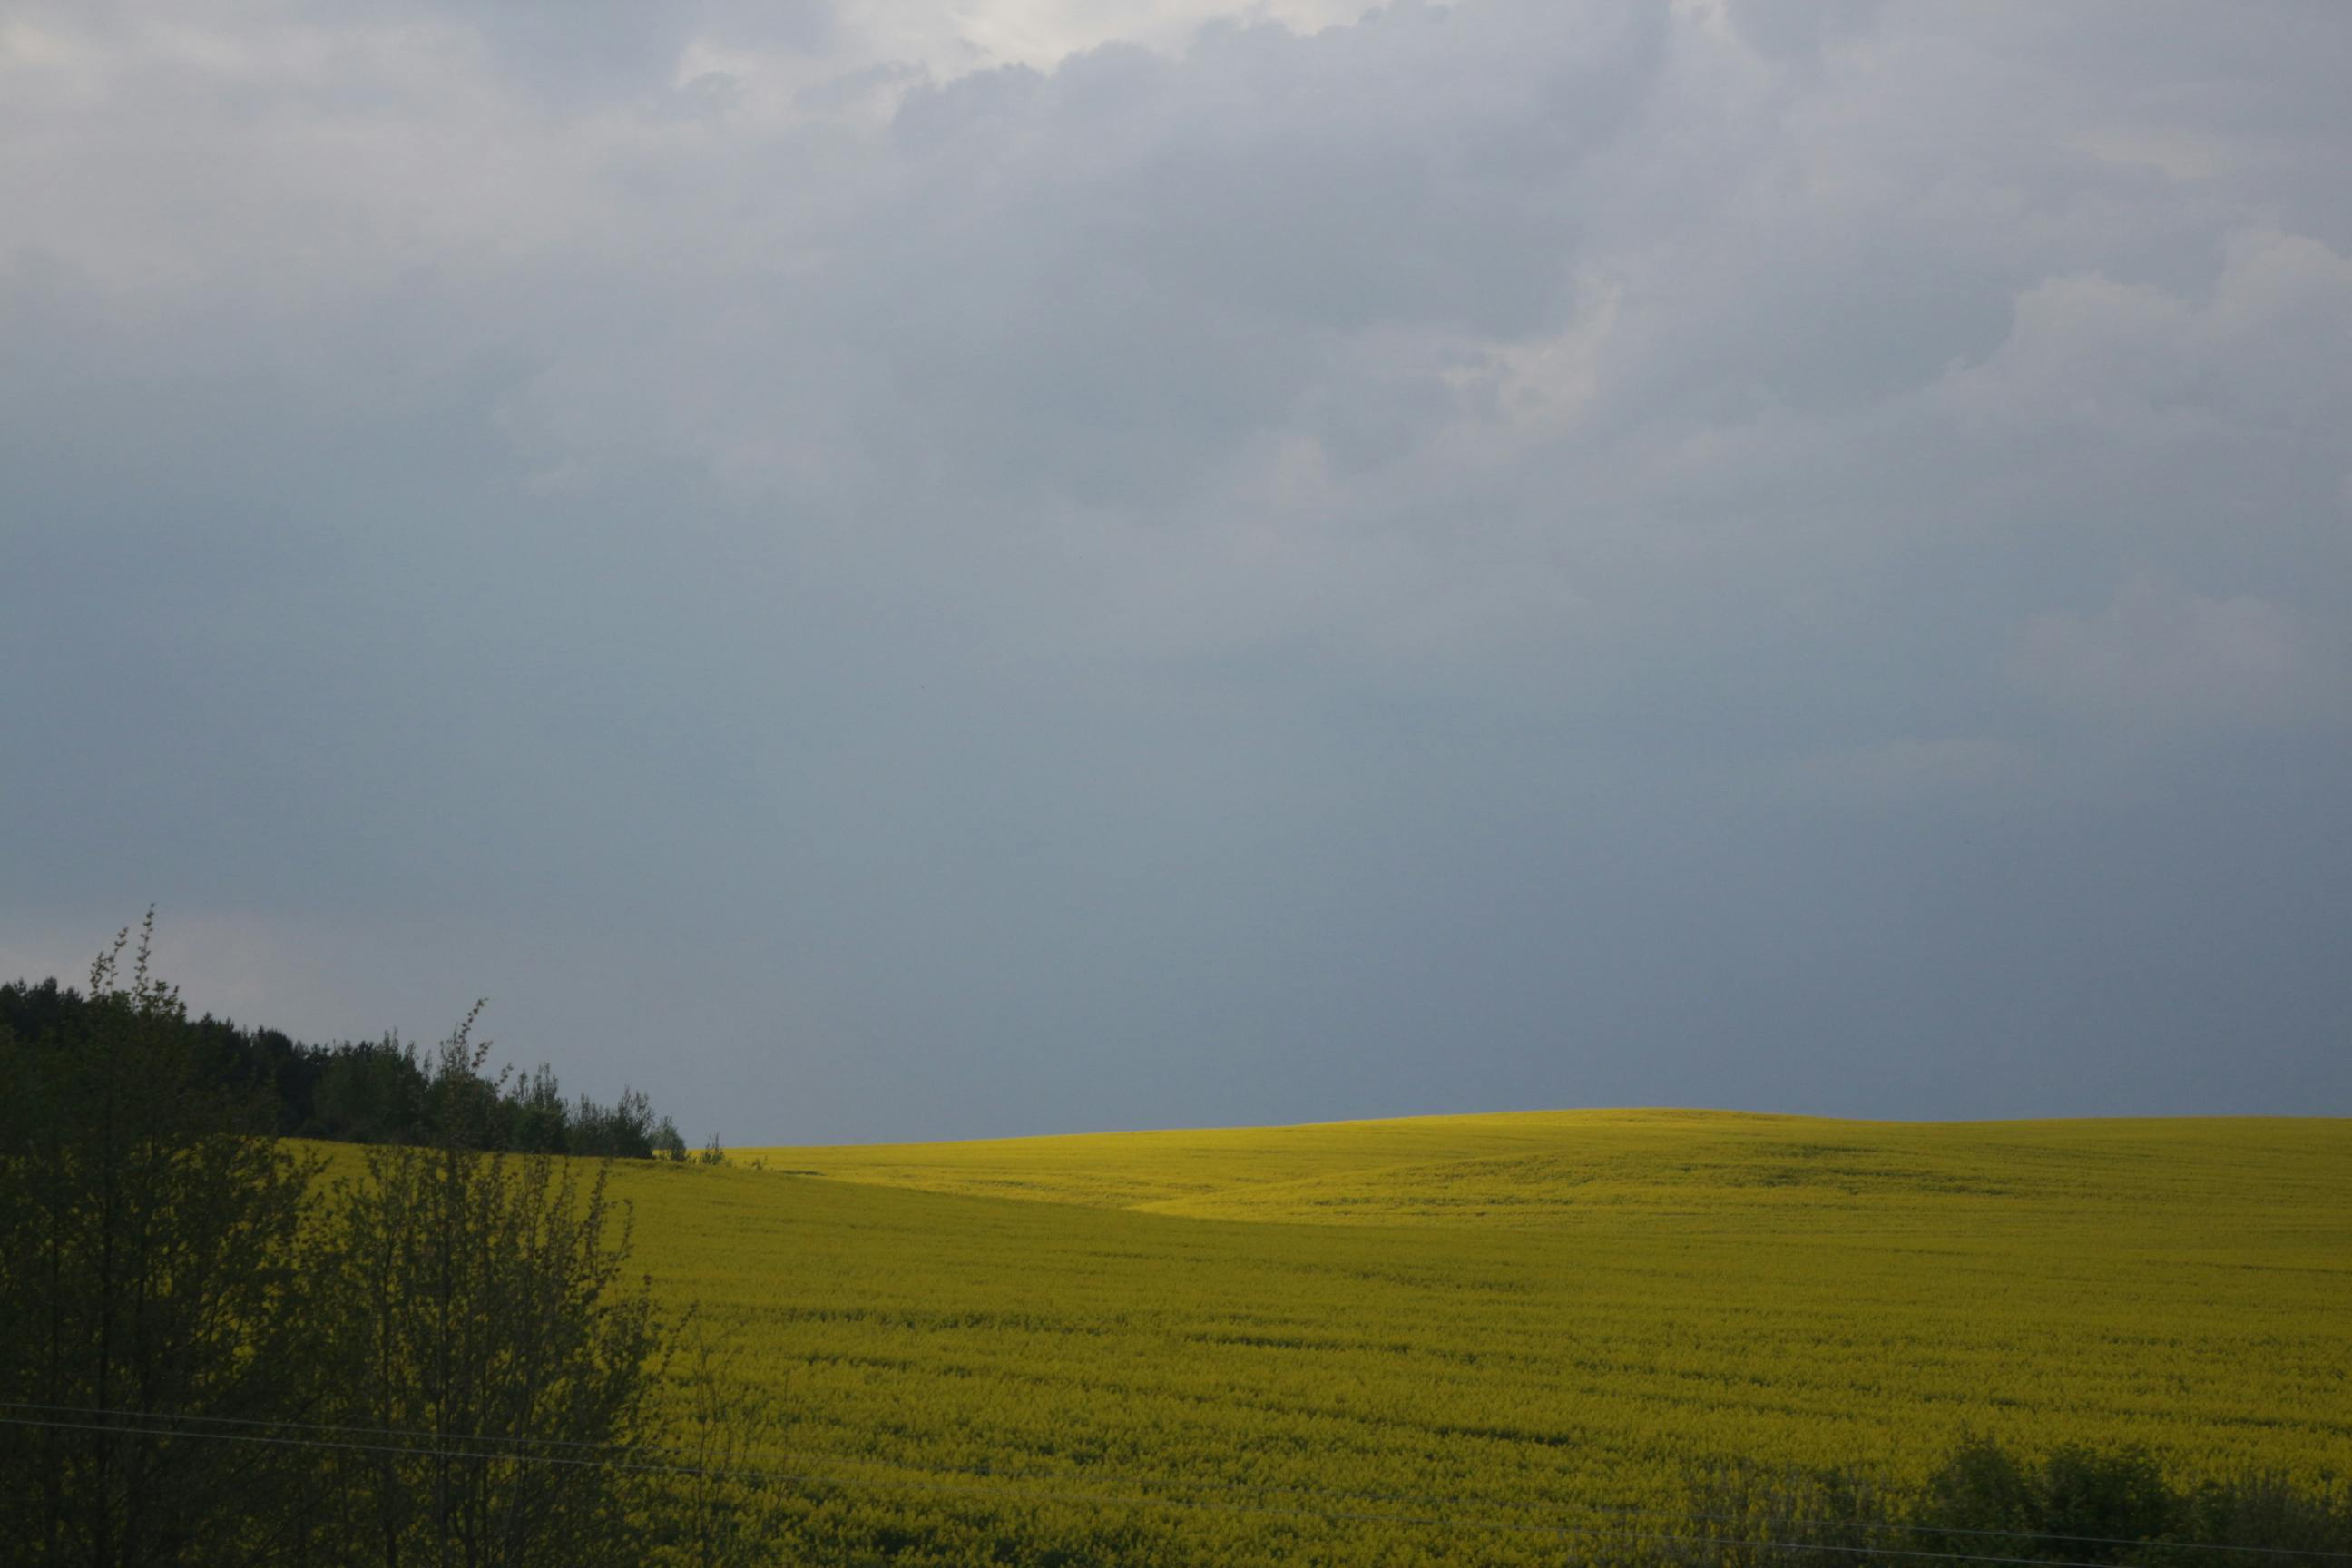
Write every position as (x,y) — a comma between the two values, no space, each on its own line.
(1495,1339)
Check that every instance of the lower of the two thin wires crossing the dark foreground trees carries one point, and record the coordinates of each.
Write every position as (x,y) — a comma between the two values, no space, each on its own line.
(1085,1499)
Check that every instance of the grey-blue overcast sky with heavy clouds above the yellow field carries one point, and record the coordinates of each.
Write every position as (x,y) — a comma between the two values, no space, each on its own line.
(949,568)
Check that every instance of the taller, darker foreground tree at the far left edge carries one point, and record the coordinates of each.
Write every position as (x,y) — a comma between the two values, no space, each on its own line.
(147,1282)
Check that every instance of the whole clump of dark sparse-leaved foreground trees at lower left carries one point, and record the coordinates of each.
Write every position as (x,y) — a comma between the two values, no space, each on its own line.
(215,1353)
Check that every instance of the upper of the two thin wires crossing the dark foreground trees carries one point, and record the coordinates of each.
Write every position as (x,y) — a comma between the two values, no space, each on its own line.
(1227,1487)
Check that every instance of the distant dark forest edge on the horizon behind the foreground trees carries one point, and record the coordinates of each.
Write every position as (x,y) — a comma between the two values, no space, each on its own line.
(370,1092)
